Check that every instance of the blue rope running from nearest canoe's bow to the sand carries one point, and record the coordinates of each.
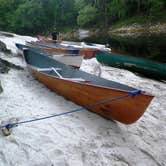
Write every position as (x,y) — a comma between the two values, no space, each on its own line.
(130,94)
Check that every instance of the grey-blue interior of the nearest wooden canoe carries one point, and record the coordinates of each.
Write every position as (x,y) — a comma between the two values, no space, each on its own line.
(69,72)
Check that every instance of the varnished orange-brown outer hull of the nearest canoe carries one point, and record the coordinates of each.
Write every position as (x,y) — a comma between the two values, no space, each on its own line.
(127,110)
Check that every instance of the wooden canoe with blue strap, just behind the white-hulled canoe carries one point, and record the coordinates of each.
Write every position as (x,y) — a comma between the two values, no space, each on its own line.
(52,47)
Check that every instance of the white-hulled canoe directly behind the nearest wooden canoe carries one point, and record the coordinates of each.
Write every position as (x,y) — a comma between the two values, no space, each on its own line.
(67,59)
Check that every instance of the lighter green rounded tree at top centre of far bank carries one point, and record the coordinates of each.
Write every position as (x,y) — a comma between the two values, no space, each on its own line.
(87,16)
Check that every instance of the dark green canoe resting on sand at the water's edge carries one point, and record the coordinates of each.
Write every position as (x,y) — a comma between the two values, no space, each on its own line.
(139,65)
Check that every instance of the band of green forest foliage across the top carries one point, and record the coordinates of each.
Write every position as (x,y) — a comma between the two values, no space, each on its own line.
(38,16)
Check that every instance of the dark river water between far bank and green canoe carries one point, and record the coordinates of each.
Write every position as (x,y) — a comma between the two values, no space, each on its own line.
(146,46)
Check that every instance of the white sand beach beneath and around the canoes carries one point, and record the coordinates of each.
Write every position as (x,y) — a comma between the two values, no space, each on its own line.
(83,138)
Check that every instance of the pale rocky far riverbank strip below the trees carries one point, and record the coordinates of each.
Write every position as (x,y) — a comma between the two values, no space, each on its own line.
(125,30)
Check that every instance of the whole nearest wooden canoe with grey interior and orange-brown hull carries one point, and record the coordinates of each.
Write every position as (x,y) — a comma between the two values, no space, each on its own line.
(75,85)
